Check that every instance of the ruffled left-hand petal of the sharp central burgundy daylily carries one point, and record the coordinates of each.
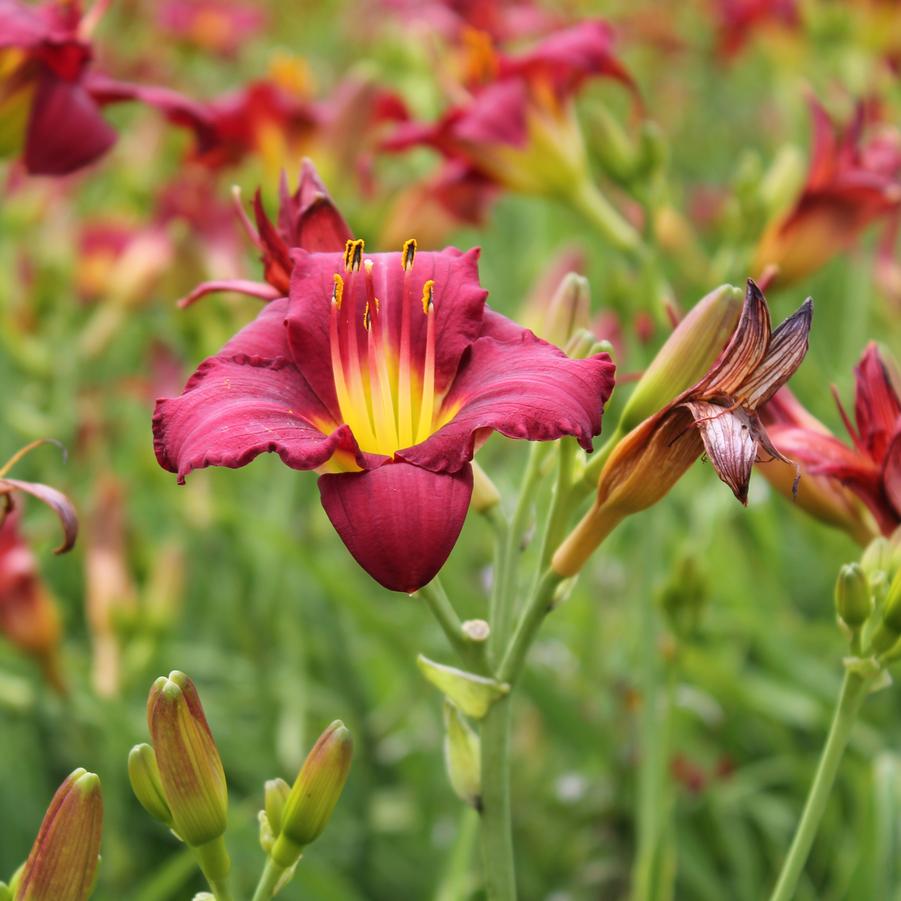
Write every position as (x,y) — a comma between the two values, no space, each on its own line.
(237,408)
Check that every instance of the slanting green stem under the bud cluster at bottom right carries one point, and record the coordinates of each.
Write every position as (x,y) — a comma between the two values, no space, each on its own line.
(854,689)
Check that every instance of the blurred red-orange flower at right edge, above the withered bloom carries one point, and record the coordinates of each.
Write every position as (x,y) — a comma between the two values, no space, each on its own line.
(852,182)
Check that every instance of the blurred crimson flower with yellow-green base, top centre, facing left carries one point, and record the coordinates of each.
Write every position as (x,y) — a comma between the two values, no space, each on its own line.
(519,129)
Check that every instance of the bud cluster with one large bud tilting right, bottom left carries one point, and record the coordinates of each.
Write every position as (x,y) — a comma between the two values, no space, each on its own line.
(295,816)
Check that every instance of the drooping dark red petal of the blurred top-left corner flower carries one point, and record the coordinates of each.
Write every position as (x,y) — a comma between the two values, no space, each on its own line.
(66,130)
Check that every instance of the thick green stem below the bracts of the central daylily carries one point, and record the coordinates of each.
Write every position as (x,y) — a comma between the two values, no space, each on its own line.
(497,832)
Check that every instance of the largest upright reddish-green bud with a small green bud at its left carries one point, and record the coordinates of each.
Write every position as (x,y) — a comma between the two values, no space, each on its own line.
(190,770)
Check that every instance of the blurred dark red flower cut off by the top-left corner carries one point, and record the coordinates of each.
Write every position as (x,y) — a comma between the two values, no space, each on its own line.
(50,100)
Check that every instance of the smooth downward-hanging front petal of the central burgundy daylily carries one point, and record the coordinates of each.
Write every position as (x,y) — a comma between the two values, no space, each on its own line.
(399,522)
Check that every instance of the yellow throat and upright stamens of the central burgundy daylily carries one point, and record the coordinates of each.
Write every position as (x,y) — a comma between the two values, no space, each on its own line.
(384,383)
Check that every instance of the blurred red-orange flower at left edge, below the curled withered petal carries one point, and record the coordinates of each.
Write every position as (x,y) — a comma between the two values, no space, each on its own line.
(29,617)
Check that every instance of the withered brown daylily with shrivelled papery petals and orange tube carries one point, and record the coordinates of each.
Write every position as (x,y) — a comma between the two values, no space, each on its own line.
(717,415)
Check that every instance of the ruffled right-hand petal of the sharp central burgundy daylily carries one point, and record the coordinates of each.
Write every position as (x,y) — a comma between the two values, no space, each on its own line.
(525,389)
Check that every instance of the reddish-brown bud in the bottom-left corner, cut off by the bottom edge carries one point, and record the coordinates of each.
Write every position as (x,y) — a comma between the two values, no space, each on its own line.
(63,861)
